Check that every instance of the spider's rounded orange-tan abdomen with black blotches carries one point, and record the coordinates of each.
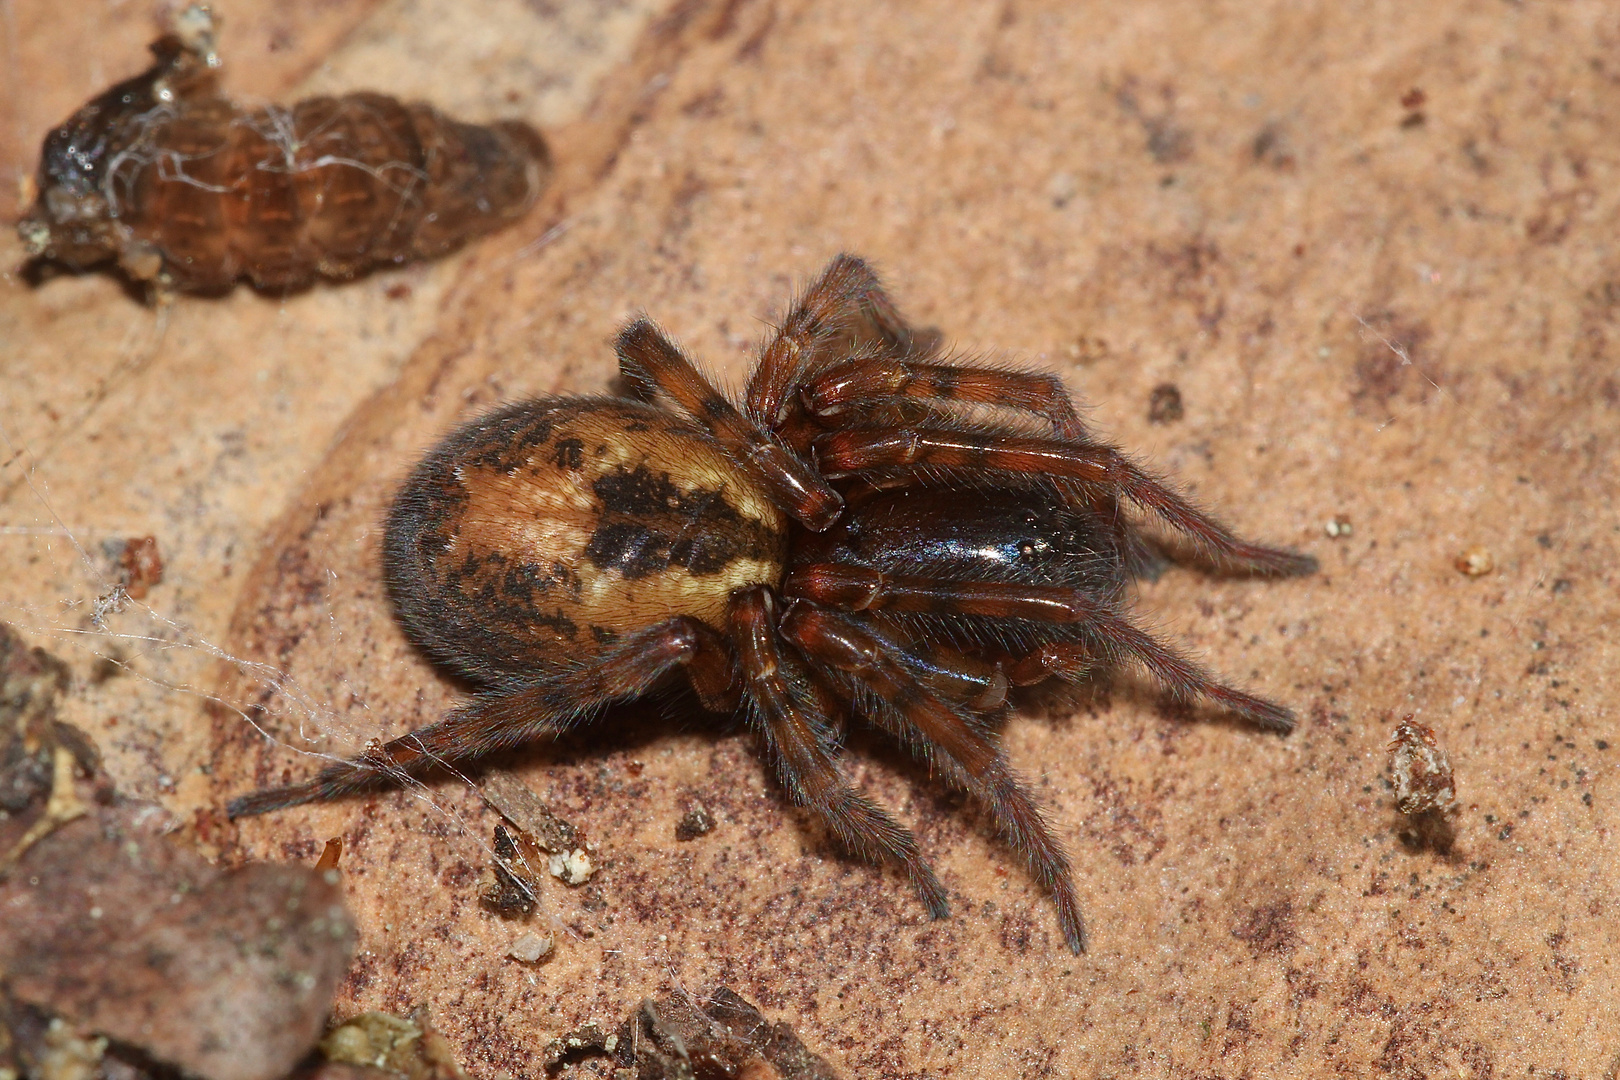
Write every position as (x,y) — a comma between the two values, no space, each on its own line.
(537,535)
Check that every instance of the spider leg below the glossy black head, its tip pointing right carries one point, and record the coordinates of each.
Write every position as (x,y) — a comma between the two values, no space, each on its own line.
(861,589)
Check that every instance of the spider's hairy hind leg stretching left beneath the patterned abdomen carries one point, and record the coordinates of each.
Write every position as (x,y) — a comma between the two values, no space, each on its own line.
(526,713)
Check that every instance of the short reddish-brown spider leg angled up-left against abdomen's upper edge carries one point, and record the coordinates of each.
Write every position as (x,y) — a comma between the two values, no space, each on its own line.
(649,359)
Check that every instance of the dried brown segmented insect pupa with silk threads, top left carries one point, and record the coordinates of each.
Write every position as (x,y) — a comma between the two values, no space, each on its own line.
(189,190)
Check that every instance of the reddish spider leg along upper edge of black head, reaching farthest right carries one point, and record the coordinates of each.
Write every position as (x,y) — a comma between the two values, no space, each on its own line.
(1096,467)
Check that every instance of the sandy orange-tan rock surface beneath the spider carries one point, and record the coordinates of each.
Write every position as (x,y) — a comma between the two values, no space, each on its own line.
(1371,247)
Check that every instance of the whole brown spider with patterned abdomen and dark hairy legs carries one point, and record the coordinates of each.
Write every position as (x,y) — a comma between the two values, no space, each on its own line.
(876,534)
